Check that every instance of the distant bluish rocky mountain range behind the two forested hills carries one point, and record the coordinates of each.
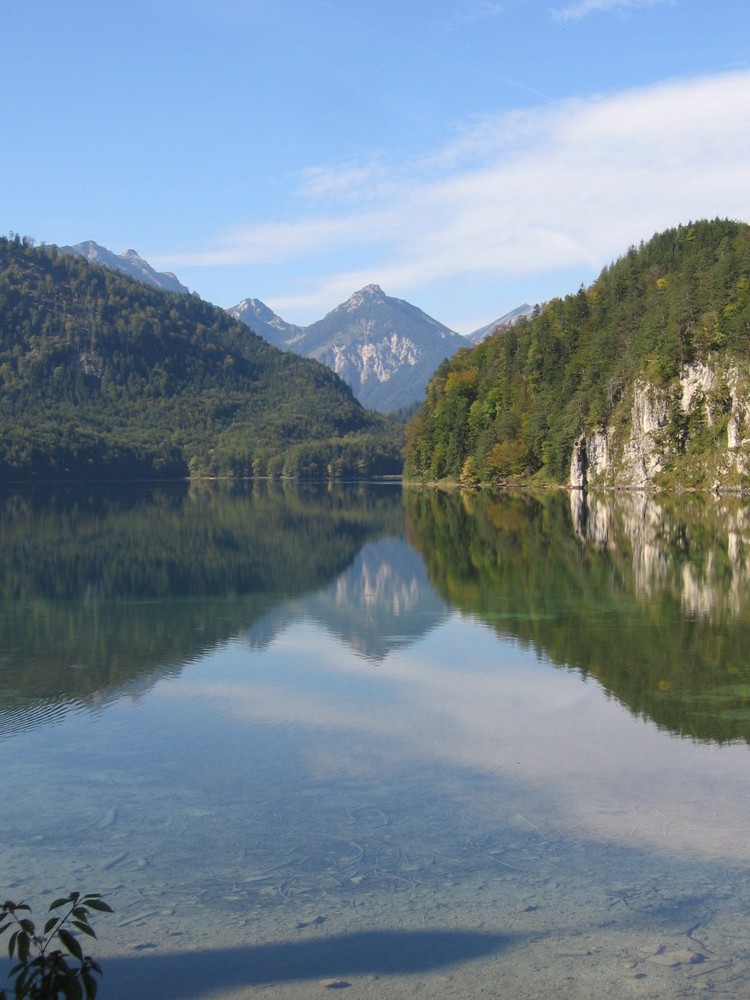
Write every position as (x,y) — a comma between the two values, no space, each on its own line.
(384,348)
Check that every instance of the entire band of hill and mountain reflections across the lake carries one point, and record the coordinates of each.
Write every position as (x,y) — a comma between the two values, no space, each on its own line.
(104,593)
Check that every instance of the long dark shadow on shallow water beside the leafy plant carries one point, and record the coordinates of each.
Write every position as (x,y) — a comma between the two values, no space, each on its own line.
(389,952)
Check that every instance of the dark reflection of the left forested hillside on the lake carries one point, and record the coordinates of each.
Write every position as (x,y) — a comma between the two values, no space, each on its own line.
(99,593)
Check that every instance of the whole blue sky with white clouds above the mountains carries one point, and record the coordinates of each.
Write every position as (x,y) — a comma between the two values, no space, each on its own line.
(467,156)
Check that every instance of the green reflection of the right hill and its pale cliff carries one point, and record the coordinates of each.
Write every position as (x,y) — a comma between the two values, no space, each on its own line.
(650,596)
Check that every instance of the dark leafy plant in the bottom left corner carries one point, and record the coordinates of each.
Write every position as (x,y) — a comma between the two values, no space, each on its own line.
(50,963)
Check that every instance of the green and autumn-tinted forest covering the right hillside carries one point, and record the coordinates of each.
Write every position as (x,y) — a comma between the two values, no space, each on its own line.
(516,405)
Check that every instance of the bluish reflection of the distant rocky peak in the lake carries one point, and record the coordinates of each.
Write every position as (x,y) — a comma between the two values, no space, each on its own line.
(381,602)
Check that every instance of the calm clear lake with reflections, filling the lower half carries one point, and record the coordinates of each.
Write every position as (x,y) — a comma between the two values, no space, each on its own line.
(398,744)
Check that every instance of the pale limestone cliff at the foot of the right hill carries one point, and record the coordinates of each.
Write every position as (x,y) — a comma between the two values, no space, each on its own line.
(693,432)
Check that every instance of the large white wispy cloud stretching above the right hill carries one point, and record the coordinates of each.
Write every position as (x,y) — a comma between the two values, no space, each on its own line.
(519,194)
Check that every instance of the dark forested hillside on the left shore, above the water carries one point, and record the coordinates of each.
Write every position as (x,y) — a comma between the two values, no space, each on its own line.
(102,376)
